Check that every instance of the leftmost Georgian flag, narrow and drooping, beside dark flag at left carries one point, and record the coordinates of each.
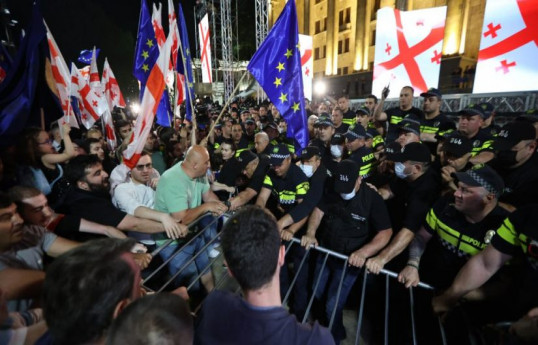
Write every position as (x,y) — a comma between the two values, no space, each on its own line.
(62,79)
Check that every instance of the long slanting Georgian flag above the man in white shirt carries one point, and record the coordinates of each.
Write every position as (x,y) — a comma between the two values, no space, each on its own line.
(148,108)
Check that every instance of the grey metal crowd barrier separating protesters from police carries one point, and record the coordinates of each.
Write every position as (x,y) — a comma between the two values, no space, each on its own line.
(321,251)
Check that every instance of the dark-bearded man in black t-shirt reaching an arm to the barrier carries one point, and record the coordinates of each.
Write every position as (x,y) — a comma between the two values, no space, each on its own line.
(89,198)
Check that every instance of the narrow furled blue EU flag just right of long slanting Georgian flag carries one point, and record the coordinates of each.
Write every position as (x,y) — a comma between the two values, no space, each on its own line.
(185,58)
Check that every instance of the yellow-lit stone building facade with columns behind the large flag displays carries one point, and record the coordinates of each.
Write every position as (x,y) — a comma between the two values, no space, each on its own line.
(344,31)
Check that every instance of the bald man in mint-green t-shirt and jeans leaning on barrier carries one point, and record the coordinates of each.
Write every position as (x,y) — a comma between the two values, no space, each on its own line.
(184,192)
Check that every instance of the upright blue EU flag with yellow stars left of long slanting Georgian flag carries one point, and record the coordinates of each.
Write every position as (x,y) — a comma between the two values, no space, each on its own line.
(146,50)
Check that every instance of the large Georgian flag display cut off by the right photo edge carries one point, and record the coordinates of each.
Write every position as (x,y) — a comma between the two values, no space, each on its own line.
(507,60)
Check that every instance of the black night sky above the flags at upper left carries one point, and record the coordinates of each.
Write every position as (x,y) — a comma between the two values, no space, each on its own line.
(112,25)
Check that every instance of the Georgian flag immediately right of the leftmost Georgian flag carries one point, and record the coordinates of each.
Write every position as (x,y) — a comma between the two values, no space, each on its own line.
(91,104)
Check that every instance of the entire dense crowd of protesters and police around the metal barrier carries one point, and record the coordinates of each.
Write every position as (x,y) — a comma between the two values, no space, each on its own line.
(449,199)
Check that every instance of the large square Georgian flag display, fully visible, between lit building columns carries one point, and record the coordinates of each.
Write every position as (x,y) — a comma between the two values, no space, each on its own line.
(408,49)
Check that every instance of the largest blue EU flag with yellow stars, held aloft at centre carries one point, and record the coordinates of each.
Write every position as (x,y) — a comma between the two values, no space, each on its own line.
(276,65)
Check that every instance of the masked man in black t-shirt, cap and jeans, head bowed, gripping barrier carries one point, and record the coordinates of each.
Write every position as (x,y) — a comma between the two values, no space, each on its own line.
(357,225)
